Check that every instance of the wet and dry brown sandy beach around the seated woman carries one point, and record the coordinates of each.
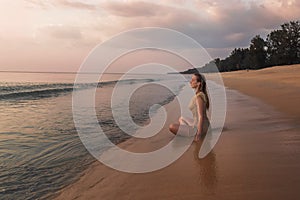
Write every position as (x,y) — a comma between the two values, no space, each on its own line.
(256,157)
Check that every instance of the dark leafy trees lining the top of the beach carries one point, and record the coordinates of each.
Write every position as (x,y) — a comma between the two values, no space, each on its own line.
(281,47)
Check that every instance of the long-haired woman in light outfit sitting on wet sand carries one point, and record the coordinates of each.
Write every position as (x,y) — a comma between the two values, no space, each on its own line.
(199,104)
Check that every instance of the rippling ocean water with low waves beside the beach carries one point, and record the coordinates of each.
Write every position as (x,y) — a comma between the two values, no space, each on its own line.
(40,150)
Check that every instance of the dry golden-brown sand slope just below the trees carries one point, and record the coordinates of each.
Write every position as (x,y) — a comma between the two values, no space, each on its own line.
(277,86)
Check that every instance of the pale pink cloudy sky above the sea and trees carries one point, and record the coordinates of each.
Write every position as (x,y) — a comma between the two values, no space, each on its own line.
(58,35)
